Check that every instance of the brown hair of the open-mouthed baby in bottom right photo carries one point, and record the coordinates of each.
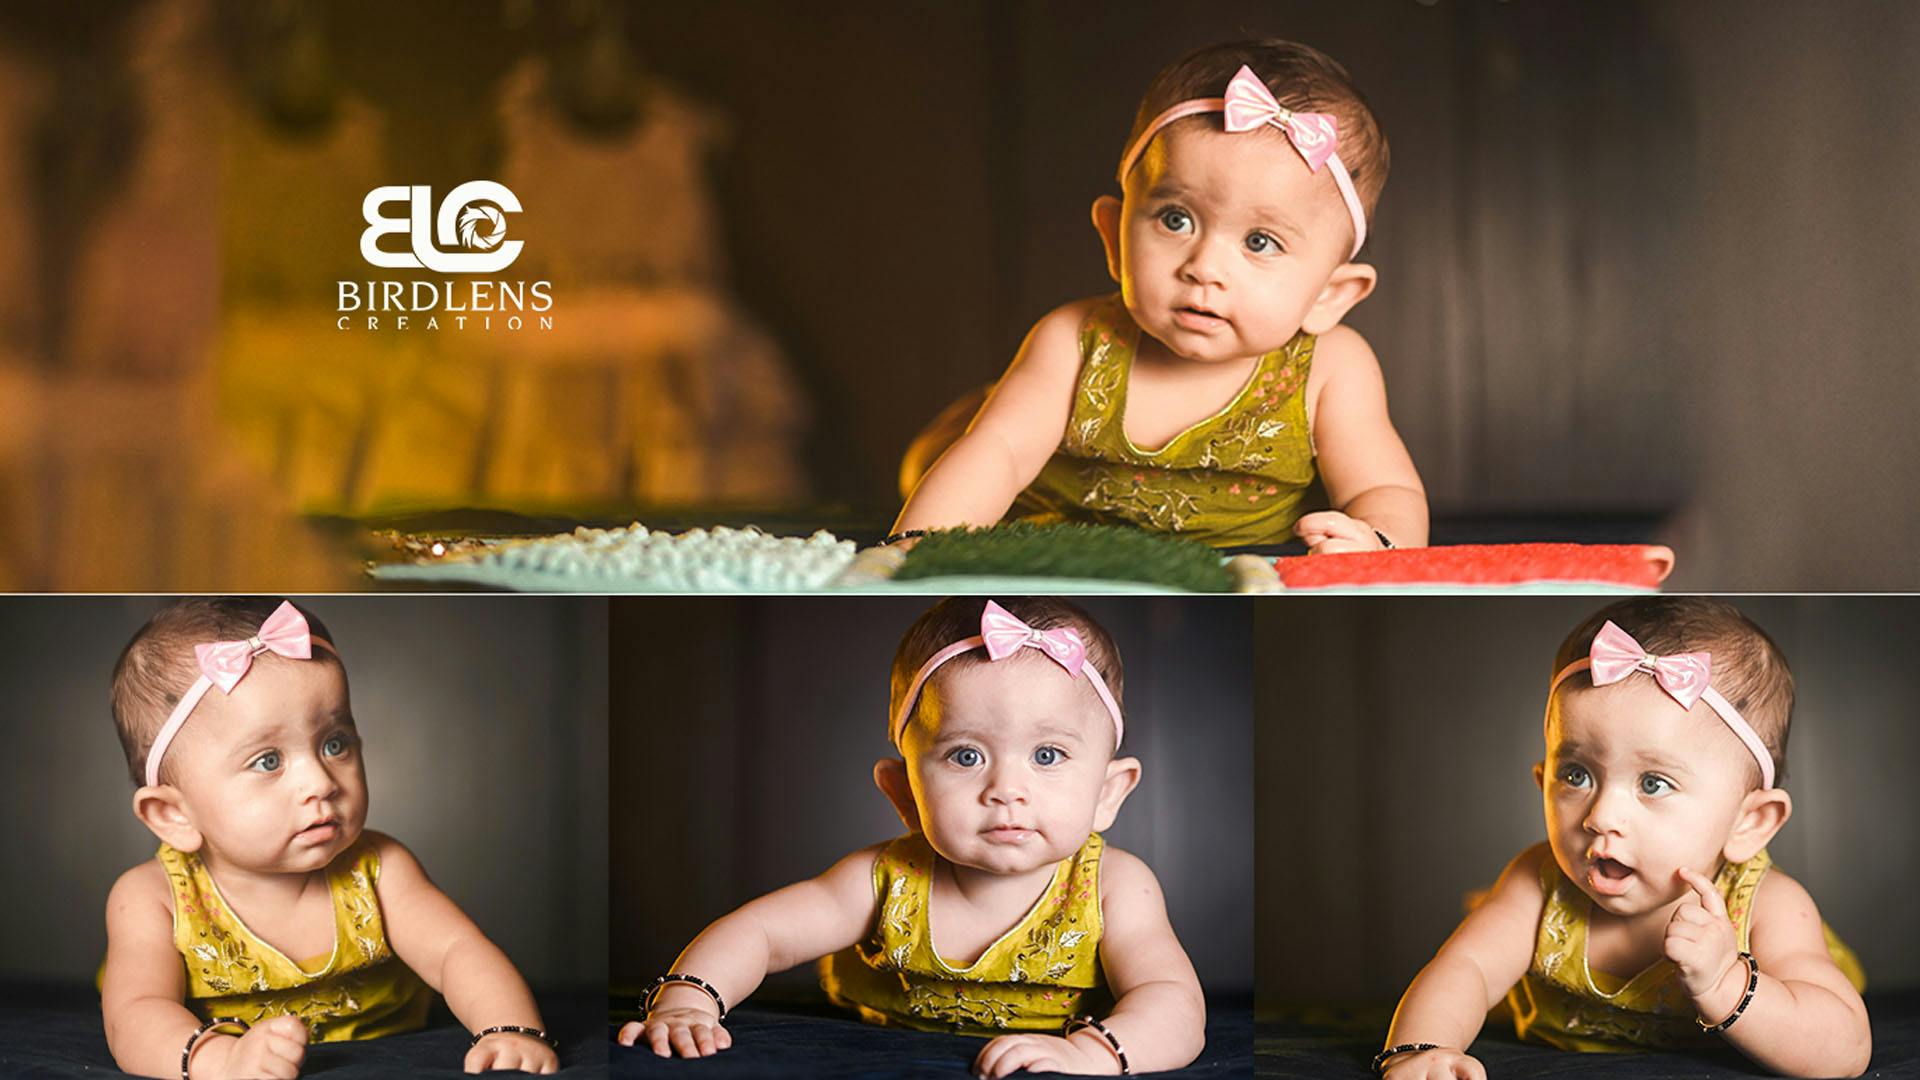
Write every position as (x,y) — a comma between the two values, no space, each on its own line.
(1748,668)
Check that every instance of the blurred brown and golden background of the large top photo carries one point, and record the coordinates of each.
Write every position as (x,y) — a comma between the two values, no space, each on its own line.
(1641,264)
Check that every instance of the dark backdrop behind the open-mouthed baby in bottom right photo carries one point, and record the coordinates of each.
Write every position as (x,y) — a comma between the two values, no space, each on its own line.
(1397,741)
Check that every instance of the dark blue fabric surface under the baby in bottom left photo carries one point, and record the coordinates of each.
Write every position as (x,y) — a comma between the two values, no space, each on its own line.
(59,1035)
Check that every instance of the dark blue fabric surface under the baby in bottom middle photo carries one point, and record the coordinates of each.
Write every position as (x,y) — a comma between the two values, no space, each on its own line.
(792,1041)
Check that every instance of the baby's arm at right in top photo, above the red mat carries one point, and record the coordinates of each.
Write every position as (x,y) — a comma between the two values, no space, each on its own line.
(1364,464)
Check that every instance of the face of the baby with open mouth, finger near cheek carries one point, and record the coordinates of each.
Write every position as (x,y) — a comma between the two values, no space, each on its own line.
(1637,789)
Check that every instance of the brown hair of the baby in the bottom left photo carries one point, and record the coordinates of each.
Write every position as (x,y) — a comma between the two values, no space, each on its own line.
(158,664)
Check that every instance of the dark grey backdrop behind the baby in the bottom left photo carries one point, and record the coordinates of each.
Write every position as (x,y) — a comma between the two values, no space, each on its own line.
(485,724)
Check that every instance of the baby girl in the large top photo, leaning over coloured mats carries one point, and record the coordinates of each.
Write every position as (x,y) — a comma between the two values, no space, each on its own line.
(1209,395)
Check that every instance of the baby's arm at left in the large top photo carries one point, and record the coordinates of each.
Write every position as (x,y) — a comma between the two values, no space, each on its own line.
(1013,437)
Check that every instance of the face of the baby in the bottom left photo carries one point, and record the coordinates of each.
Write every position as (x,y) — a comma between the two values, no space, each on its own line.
(272,773)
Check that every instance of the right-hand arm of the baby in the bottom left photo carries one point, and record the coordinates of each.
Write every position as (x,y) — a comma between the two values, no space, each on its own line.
(433,937)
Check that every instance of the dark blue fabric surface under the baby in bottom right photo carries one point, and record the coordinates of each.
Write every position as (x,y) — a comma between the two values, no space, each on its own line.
(1333,1044)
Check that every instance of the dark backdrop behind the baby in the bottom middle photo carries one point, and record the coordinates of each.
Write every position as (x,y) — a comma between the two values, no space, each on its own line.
(746,733)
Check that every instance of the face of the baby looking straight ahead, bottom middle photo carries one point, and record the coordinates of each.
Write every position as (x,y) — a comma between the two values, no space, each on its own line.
(1007,762)
